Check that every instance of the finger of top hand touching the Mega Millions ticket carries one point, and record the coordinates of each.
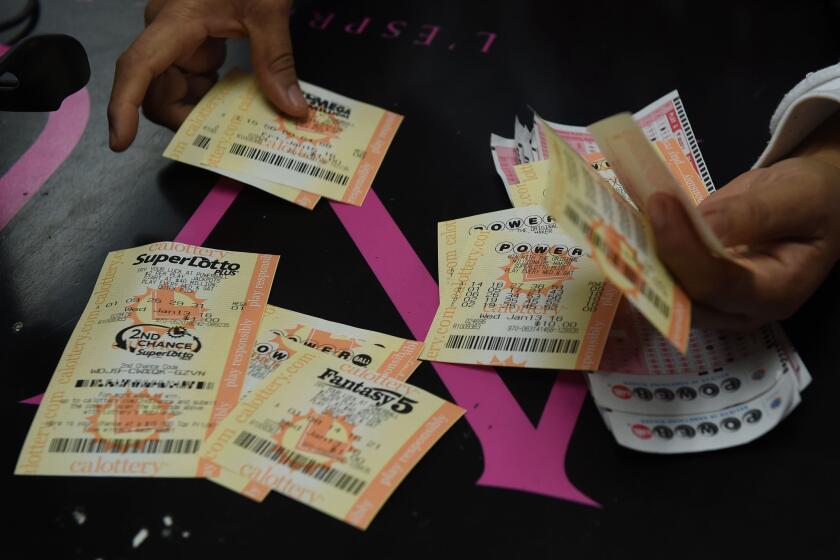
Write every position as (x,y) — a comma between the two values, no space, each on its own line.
(267,24)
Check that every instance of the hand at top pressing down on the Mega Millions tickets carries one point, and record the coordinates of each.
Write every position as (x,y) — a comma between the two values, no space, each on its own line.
(173,62)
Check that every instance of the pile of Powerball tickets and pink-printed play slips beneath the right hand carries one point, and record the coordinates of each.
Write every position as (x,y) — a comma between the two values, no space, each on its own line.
(568,279)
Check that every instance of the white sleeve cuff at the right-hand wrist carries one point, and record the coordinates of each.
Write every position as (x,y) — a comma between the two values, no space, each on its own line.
(801,111)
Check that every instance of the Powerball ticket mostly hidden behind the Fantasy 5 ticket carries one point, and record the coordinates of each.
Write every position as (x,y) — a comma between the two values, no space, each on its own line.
(390,355)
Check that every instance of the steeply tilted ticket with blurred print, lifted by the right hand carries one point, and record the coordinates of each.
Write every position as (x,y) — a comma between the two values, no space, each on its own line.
(619,237)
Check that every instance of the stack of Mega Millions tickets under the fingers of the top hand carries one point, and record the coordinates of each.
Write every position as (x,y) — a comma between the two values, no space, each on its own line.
(335,152)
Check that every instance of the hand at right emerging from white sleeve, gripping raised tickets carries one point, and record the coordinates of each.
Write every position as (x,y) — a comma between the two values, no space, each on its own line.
(782,224)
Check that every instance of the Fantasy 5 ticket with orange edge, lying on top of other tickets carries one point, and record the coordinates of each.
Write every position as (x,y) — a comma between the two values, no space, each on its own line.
(336,441)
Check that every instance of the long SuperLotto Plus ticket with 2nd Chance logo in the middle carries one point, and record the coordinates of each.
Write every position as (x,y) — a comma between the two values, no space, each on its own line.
(157,359)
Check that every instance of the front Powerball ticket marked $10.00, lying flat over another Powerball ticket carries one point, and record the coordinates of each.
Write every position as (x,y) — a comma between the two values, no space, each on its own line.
(520,300)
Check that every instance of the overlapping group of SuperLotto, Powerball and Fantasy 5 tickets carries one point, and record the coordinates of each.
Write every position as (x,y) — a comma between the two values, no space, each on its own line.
(178,367)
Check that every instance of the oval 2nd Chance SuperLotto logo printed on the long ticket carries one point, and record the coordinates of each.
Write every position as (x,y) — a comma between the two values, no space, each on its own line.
(158,341)
